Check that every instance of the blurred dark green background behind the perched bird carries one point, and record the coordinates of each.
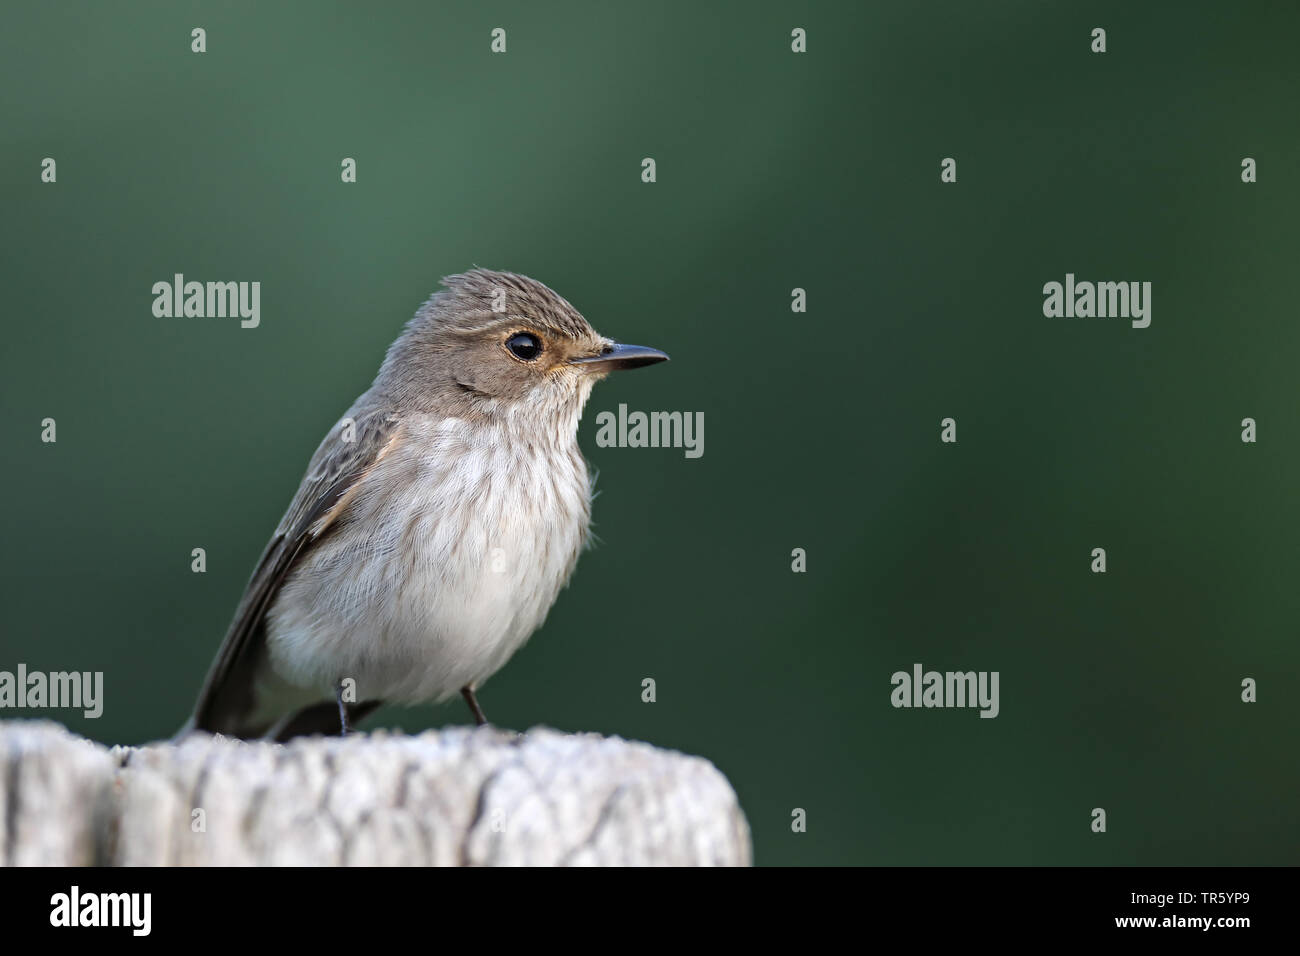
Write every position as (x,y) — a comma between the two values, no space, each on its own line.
(775,171)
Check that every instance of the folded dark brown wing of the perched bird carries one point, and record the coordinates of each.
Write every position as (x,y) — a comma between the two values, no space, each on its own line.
(333,477)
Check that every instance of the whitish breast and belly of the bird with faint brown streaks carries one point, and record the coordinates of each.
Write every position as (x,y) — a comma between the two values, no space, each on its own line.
(448,559)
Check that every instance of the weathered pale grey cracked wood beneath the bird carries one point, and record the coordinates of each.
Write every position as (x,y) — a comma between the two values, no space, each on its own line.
(457,797)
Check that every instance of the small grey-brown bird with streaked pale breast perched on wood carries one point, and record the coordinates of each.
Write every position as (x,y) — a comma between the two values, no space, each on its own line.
(436,525)
